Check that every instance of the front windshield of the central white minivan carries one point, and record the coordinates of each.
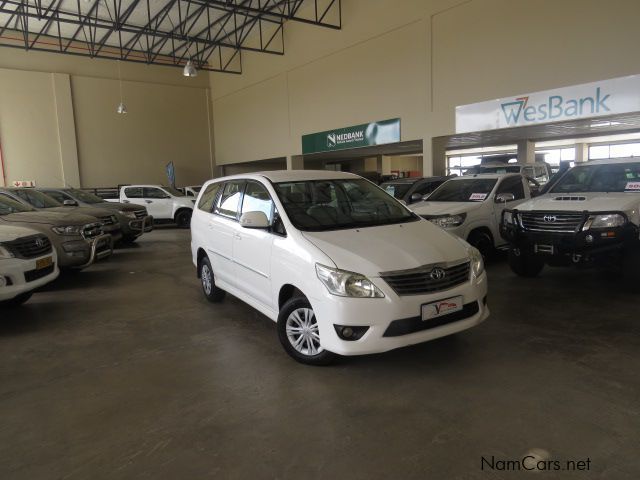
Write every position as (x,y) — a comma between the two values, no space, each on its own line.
(319,205)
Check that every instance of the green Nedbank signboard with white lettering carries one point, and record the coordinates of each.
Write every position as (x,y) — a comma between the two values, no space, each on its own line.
(365,135)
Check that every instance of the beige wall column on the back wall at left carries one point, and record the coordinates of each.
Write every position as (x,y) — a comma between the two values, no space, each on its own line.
(67,143)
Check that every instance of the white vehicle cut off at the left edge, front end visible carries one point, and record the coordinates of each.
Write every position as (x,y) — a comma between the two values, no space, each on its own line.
(27,261)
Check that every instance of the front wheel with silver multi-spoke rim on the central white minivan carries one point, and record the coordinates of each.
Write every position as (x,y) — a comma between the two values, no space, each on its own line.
(299,334)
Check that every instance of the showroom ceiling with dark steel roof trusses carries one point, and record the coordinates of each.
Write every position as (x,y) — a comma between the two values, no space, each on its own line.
(213,34)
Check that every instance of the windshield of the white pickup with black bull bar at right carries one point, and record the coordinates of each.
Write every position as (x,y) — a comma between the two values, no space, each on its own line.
(616,177)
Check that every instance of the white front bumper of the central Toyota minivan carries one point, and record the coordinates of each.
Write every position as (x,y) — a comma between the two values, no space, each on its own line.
(395,321)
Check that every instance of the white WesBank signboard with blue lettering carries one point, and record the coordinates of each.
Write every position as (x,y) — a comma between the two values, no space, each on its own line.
(608,97)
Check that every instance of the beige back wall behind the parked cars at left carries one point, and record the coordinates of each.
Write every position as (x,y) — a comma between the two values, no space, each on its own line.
(58,124)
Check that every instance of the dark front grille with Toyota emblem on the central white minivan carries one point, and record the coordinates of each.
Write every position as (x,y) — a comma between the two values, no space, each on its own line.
(421,280)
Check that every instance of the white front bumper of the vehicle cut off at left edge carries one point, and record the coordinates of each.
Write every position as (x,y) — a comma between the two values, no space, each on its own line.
(21,276)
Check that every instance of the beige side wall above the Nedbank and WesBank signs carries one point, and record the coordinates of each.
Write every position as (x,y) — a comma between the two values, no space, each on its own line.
(416,60)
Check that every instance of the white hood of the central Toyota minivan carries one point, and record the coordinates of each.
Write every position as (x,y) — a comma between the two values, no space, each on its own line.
(372,250)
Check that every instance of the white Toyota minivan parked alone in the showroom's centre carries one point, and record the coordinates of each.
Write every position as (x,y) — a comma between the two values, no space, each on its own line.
(341,266)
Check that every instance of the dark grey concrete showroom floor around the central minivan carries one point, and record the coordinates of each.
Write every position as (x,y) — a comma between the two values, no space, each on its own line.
(125,371)
